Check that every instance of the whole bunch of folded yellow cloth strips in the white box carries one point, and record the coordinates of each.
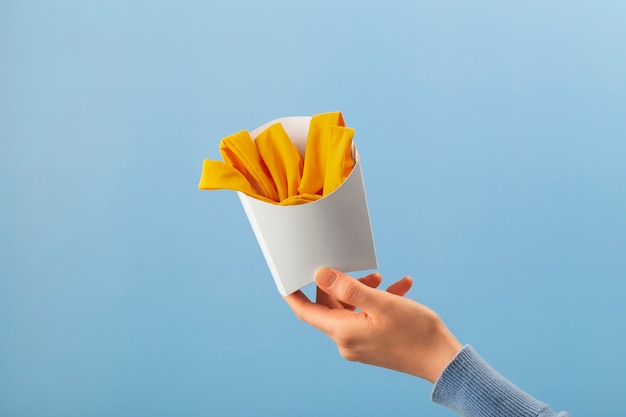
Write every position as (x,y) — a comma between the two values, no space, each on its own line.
(271,169)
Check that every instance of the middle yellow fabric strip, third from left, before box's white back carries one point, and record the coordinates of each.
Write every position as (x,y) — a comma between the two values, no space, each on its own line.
(282,159)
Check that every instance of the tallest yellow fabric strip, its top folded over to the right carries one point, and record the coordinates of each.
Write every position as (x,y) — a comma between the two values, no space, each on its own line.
(316,152)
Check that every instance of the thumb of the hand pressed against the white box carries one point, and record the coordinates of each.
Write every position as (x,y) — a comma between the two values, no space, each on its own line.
(346,289)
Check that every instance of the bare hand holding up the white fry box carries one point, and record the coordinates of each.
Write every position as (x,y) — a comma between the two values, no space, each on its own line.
(378,327)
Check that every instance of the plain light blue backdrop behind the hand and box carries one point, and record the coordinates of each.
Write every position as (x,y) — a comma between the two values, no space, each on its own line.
(493,143)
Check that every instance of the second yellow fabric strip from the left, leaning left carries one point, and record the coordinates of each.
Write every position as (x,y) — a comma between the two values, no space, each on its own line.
(240,152)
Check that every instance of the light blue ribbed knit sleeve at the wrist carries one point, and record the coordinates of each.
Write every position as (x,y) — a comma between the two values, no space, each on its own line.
(472,388)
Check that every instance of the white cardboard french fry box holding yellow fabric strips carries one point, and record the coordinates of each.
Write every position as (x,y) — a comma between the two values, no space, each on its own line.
(298,240)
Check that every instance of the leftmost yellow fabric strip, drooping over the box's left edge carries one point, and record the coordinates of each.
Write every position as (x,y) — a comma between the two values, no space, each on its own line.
(217,175)
